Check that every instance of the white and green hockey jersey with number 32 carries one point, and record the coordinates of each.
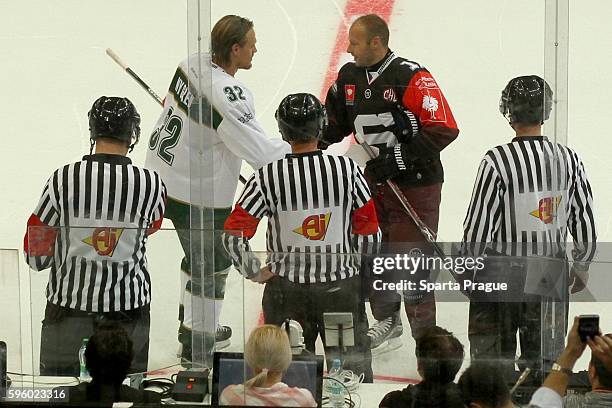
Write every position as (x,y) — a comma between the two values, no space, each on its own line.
(206,129)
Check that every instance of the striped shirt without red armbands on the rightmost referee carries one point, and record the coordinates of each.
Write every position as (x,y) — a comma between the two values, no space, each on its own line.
(527,195)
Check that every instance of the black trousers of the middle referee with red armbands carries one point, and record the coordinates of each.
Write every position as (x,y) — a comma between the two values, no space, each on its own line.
(306,303)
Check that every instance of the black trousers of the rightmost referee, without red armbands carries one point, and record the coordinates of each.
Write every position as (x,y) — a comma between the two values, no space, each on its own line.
(540,321)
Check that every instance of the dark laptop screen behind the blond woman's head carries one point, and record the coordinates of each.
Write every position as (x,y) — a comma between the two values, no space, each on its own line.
(304,372)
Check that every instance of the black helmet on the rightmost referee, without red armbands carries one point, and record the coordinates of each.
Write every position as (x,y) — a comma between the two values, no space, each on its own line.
(526,99)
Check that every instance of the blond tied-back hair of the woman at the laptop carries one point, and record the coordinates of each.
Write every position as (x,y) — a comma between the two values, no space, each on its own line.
(268,350)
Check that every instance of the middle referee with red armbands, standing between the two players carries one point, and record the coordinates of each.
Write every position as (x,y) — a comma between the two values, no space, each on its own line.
(320,218)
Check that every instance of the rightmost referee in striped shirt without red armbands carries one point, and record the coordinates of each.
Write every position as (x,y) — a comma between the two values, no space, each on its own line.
(527,195)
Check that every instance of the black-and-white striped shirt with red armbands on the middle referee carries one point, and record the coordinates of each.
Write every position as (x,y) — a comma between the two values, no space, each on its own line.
(320,218)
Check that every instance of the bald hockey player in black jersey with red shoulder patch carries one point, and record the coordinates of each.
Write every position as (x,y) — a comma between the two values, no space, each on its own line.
(397,106)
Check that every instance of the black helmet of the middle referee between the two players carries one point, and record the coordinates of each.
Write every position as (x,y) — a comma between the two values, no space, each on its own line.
(301,118)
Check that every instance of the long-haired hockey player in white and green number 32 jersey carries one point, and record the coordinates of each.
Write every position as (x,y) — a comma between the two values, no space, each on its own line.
(206,129)
